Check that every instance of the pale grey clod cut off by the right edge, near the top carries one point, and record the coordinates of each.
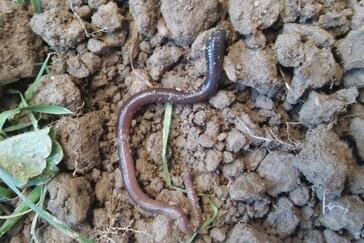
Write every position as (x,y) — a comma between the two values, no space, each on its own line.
(351,49)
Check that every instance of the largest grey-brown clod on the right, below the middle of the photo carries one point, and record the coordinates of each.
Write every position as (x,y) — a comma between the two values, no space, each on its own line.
(325,161)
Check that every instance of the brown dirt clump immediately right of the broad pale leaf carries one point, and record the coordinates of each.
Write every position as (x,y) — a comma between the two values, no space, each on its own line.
(79,138)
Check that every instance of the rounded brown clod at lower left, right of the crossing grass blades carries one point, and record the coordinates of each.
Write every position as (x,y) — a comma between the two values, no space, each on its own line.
(70,198)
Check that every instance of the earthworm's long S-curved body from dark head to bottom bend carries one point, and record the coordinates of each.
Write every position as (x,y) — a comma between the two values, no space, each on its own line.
(214,55)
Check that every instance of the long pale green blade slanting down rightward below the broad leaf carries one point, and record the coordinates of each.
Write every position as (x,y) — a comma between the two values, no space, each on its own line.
(9,181)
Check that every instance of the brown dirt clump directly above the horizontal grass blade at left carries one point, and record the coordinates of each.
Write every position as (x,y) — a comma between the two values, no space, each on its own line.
(58,89)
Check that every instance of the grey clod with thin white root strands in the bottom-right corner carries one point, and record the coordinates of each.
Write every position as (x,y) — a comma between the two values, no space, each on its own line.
(344,213)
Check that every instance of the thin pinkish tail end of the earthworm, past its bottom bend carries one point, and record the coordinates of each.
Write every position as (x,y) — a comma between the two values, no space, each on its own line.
(192,196)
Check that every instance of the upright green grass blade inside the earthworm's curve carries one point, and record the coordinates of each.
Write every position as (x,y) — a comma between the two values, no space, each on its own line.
(166,127)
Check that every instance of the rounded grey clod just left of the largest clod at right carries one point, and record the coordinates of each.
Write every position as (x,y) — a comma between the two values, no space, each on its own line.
(278,170)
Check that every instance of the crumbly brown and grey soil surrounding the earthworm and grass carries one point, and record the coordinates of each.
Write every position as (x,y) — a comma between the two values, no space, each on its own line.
(279,148)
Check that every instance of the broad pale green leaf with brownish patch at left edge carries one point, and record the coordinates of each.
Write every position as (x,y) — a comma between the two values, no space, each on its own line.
(24,156)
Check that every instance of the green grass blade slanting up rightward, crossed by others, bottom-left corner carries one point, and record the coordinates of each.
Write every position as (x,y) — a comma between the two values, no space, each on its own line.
(9,223)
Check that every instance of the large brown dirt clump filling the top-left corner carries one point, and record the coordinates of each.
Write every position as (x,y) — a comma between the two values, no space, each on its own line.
(18,46)
